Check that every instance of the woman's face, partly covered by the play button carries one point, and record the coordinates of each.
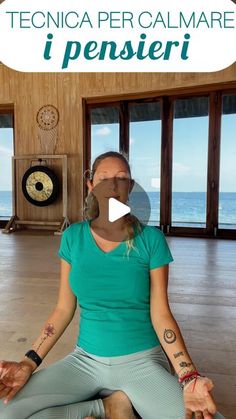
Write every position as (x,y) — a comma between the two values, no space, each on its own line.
(111,180)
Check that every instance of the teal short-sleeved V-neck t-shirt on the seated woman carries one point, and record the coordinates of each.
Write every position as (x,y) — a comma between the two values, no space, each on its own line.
(113,289)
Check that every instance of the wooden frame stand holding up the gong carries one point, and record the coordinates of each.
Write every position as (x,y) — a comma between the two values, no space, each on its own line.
(58,225)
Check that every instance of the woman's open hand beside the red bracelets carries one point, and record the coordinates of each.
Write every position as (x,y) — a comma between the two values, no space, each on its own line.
(199,400)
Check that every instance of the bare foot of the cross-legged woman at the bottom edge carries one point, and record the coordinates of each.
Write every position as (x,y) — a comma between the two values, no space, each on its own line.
(118,406)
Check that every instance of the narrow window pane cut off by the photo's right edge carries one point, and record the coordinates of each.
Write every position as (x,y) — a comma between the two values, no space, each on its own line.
(227,196)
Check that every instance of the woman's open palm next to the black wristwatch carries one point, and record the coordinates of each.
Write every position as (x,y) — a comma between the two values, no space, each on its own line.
(13,376)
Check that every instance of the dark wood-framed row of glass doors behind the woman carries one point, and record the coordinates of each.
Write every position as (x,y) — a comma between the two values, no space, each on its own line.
(197,129)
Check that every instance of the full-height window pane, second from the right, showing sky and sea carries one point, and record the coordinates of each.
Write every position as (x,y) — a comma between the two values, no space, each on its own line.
(190,149)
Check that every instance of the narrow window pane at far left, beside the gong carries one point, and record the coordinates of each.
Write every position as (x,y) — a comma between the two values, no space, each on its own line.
(6,153)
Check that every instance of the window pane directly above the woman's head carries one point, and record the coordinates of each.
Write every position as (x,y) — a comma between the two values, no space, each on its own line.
(105,130)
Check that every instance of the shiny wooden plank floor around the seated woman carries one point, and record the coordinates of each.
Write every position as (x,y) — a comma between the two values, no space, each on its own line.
(202,291)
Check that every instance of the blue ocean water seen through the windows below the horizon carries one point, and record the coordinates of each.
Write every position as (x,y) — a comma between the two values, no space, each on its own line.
(188,208)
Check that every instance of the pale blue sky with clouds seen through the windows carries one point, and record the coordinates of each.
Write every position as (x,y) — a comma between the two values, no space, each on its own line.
(189,153)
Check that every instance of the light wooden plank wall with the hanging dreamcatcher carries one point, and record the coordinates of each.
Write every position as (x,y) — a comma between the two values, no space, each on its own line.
(27,92)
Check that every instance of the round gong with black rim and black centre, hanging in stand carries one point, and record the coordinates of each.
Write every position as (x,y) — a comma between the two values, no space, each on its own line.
(40,185)
